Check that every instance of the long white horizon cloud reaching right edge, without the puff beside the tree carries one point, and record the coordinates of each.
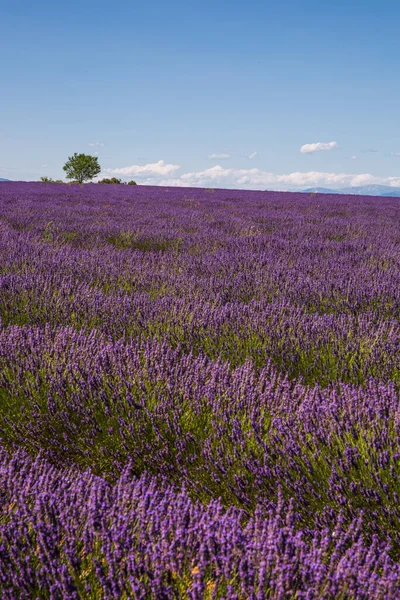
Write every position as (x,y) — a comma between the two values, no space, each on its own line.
(257,179)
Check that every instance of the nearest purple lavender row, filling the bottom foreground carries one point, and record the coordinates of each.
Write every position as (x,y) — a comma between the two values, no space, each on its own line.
(67,535)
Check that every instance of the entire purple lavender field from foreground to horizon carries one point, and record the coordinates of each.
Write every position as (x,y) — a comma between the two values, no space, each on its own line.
(199,394)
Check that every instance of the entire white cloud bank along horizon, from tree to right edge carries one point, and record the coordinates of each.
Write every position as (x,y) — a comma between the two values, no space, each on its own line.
(162,173)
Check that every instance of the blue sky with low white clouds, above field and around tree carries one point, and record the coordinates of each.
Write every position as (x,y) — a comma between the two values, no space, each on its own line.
(161,90)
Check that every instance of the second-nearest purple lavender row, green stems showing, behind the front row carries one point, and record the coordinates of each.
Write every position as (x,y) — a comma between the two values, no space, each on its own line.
(239,435)
